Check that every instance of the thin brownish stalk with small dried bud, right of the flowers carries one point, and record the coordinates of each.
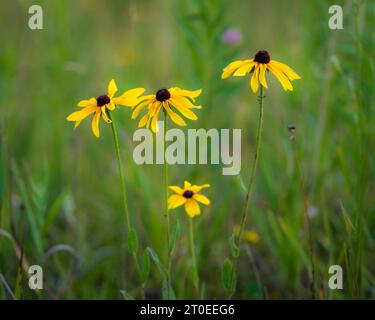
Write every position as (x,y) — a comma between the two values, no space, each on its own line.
(306,210)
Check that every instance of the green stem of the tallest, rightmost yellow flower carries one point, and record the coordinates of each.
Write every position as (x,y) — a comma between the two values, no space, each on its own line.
(254,168)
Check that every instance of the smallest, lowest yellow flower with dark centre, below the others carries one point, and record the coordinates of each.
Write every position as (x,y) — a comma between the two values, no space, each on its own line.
(188,196)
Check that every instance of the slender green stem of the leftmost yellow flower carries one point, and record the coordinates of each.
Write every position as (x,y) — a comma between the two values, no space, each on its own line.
(124,198)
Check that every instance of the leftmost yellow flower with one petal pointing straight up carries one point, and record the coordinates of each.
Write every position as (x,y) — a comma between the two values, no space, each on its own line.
(99,106)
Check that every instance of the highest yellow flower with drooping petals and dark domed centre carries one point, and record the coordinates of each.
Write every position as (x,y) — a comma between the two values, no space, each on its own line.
(258,66)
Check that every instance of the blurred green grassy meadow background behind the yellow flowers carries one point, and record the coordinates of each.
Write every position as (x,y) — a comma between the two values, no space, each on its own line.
(59,191)
